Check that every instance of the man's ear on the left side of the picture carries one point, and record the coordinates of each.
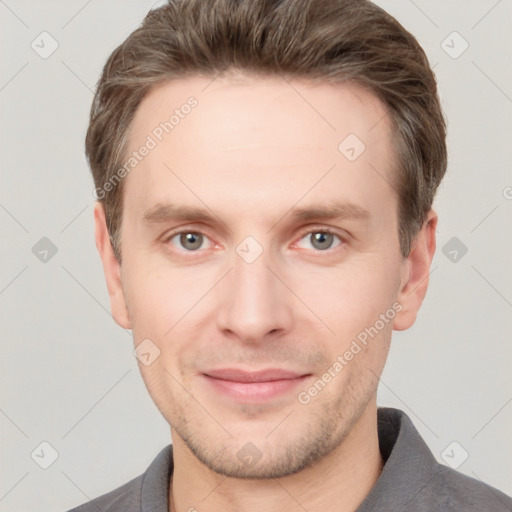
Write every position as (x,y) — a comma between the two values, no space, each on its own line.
(111,268)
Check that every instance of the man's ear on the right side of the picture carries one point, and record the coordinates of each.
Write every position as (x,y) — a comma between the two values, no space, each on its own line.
(415,273)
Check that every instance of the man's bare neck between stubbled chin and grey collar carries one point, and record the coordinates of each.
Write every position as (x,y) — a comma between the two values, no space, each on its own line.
(338,482)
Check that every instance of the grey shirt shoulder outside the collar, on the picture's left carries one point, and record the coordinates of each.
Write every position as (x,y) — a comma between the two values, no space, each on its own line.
(125,498)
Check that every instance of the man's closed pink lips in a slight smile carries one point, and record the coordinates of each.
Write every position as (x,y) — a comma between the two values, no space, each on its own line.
(253,387)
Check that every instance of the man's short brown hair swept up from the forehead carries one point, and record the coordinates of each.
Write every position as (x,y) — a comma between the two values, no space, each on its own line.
(329,40)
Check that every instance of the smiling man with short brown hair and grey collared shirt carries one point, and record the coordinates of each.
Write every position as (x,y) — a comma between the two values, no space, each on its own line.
(265,172)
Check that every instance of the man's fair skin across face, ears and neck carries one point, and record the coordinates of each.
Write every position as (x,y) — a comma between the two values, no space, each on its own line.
(251,152)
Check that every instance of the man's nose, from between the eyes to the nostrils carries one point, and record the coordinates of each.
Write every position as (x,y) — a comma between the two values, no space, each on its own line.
(254,303)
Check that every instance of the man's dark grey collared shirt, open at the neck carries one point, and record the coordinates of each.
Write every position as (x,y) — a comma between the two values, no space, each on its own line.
(412,480)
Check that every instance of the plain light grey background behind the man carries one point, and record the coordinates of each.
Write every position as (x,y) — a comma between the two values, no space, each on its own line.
(68,376)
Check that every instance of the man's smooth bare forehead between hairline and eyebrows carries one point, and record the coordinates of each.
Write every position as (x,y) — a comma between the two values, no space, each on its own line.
(250,138)
